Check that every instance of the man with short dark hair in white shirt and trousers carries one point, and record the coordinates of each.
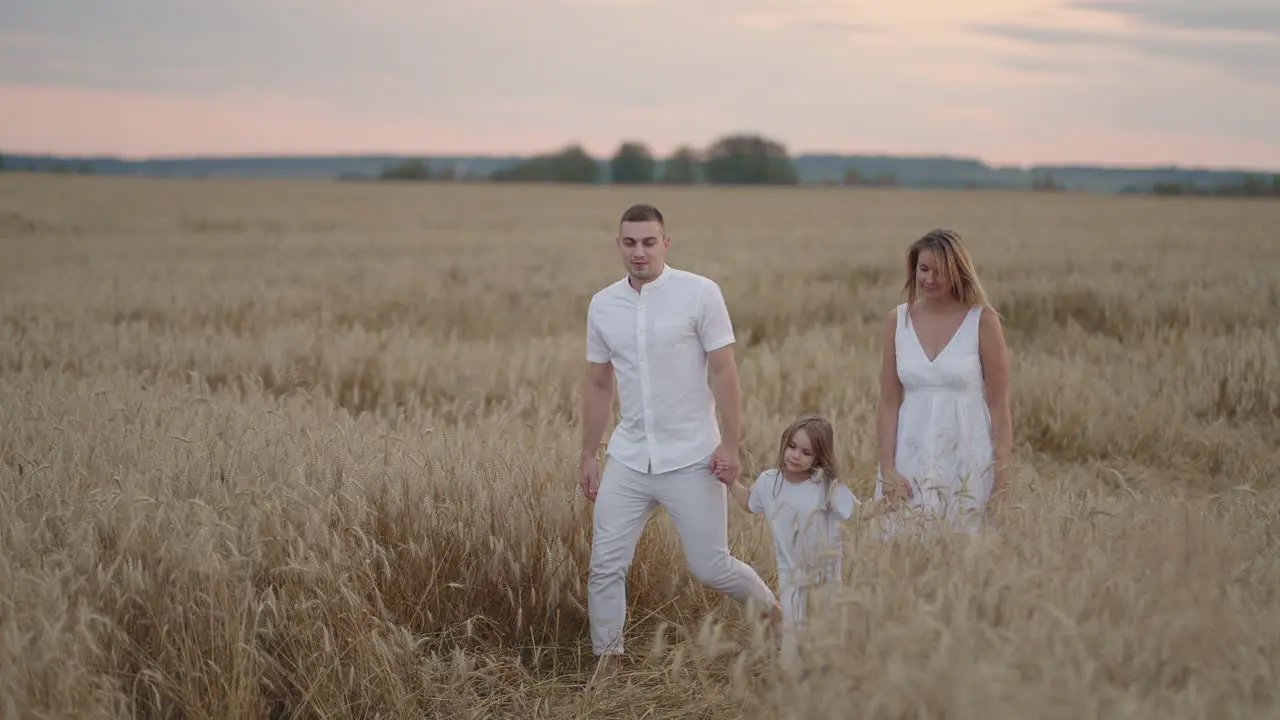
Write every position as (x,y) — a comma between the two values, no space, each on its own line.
(660,331)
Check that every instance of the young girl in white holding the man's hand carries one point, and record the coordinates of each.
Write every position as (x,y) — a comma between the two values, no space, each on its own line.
(804,502)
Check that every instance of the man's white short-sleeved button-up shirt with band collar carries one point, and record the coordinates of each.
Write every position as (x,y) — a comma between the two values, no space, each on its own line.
(657,341)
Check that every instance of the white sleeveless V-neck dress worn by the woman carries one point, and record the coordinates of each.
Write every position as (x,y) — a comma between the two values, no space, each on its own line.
(944,434)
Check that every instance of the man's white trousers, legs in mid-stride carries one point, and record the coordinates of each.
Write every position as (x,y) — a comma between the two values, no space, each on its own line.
(698,507)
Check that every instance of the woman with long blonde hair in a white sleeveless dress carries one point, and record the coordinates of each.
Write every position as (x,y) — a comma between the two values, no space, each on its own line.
(944,427)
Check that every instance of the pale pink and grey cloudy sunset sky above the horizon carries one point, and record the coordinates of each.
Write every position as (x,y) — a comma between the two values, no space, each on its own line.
(1114,83)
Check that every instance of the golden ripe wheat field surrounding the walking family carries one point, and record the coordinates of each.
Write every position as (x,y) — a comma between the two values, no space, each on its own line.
(309,450)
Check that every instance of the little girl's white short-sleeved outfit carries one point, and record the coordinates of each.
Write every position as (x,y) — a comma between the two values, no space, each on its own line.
(807,539)
